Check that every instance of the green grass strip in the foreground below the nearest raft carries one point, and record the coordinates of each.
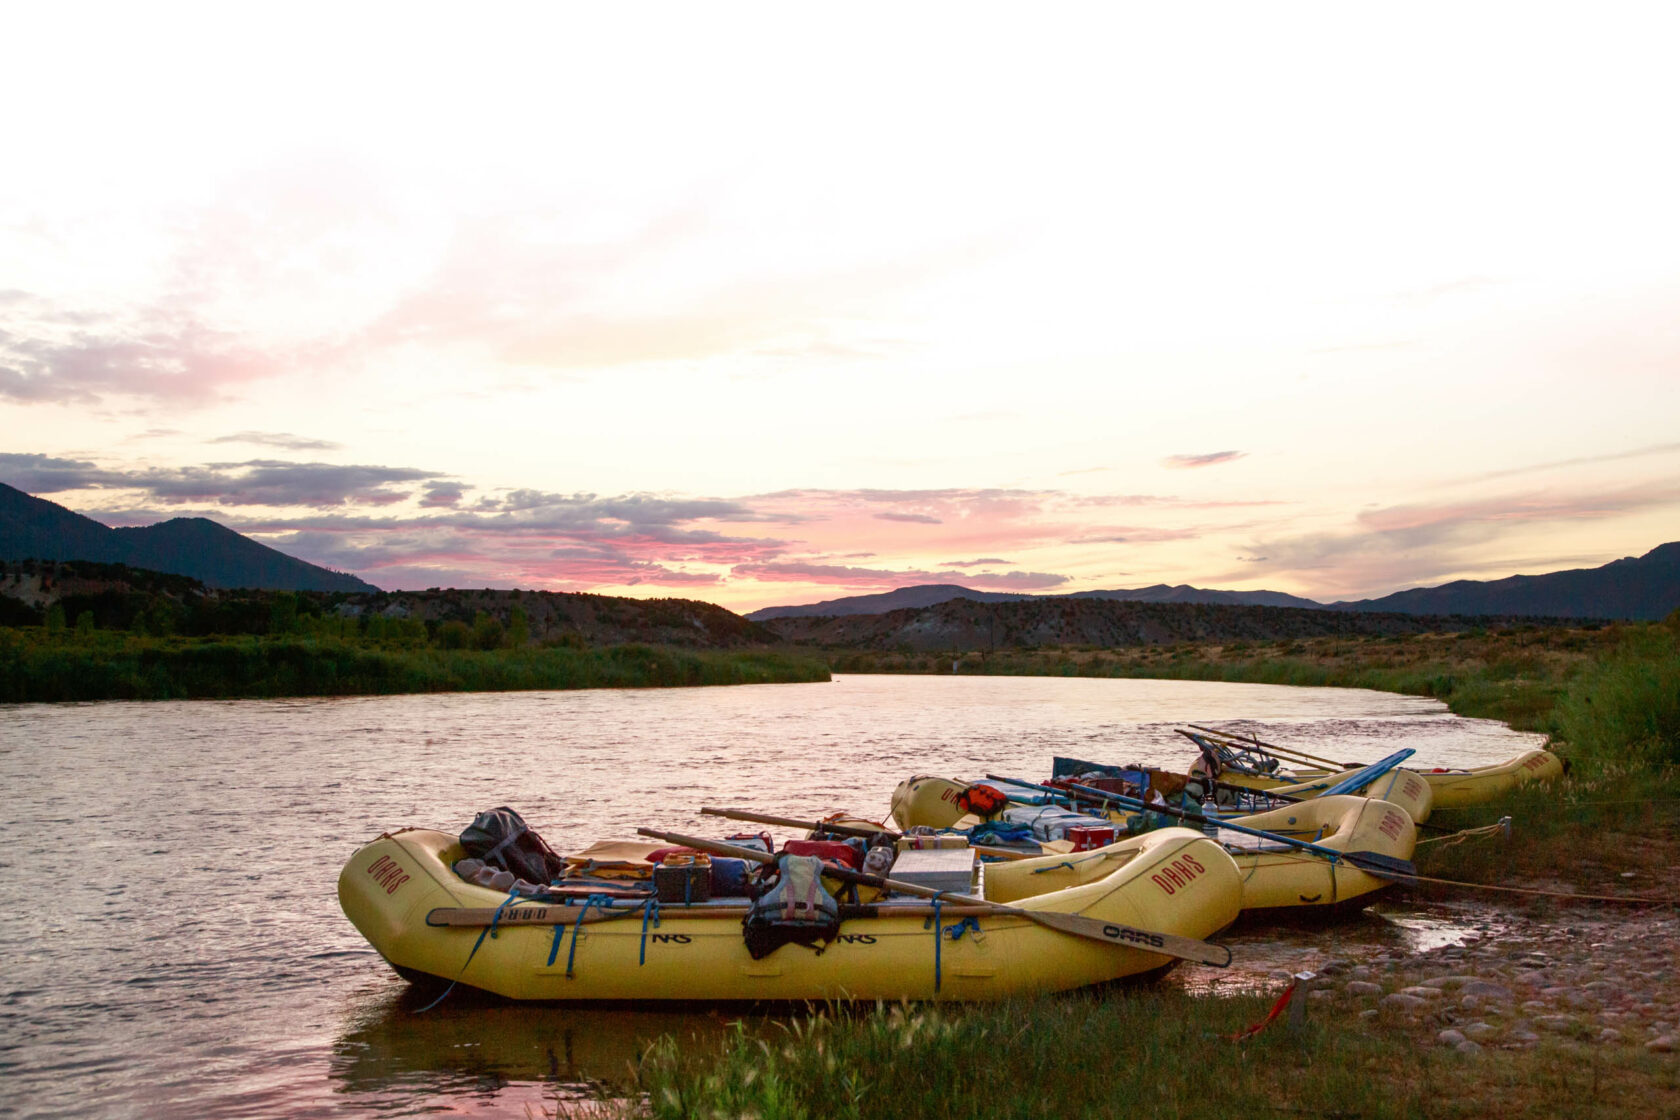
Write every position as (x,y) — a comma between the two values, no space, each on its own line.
(1120,1054)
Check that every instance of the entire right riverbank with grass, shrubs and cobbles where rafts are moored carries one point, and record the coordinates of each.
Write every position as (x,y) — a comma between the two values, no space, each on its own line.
(1551,1007)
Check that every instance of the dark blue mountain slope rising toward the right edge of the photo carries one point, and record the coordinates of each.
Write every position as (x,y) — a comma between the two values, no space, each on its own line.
(1646,587)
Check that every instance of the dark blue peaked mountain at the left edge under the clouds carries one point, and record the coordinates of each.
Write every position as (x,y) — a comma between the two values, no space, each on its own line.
(34,528)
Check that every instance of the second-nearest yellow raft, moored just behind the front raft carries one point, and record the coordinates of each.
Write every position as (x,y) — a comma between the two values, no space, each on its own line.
(1276,877)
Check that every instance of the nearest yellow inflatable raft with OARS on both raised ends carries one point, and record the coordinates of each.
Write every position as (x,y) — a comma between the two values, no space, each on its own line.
(1173,882)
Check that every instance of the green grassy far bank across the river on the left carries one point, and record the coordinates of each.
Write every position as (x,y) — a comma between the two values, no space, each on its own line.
(36,666)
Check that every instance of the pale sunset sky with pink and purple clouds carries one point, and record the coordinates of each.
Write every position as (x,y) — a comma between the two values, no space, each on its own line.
(769,305)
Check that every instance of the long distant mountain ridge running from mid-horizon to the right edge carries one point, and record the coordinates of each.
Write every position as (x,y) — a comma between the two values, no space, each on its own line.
(1637,589)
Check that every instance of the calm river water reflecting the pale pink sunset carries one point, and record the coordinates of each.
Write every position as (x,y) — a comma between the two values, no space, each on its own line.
(169,918)
